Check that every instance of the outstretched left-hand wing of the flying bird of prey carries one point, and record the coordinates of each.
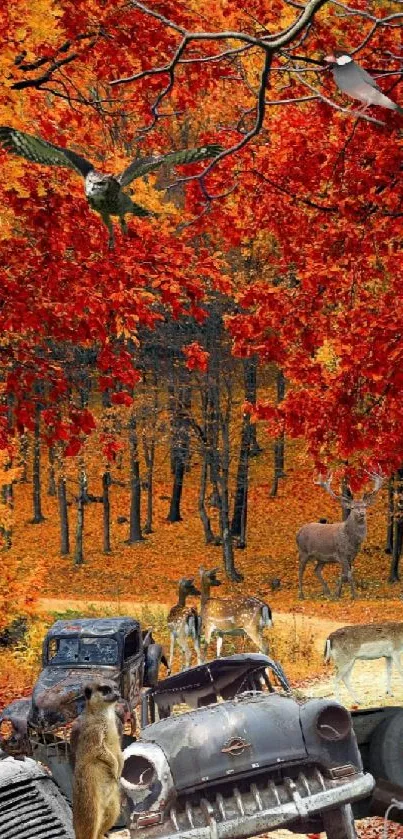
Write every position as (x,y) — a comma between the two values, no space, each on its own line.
(40,151)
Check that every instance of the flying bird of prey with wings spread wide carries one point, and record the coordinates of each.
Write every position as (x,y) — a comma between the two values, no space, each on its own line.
(104,193)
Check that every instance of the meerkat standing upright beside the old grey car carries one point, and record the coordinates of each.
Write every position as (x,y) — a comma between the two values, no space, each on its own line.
(98,764)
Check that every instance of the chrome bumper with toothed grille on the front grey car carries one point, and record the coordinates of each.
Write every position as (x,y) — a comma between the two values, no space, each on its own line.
(260,810)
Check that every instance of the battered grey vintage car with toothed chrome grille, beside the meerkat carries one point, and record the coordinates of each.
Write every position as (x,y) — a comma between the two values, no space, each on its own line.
(241,766)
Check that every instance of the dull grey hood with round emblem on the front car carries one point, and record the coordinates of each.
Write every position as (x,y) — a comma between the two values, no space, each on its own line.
(227,739)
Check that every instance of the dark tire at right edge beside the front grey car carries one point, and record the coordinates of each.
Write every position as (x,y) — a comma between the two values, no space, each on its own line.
(386,750)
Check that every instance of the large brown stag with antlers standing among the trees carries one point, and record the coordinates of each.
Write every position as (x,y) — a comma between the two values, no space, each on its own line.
(339,543)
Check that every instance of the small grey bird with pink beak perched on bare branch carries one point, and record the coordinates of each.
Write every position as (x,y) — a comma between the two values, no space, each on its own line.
(357,83)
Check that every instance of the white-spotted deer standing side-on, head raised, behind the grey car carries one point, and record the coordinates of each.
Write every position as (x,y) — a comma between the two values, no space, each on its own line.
(237,615)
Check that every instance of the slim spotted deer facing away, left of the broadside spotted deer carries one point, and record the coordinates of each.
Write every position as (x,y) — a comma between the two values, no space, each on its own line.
(183,623)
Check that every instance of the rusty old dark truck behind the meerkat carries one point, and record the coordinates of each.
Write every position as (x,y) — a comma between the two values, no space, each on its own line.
(74,652)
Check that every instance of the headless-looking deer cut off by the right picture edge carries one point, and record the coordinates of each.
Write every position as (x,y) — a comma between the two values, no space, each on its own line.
(366,641)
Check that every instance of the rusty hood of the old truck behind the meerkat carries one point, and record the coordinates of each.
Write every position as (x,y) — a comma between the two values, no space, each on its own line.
(58,694)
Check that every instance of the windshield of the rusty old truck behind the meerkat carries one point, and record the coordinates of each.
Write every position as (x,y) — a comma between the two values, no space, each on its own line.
(84,650)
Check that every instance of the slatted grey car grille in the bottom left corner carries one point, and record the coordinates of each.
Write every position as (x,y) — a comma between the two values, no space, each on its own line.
(29,809)
